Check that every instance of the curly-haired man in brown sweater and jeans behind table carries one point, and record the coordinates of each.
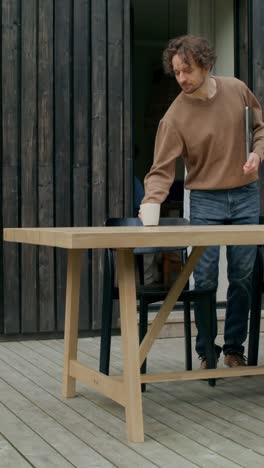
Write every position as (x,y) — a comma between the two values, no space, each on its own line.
(205,126)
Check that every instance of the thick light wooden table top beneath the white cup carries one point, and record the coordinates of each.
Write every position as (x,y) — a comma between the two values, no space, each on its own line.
(137,236)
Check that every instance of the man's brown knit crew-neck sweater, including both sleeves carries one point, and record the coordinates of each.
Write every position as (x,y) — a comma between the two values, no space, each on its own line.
(210,136)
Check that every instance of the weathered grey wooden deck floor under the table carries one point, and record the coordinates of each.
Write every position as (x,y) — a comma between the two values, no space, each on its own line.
(187,424)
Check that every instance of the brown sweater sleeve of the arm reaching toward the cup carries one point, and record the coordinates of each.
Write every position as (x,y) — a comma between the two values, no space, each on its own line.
(168,146)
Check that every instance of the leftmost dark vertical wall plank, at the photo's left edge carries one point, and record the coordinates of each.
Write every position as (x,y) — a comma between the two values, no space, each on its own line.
(10,160)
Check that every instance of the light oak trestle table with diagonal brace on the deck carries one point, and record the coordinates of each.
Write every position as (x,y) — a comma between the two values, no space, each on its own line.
(126,389)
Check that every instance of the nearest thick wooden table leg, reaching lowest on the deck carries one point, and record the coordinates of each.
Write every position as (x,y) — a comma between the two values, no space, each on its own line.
(130,345)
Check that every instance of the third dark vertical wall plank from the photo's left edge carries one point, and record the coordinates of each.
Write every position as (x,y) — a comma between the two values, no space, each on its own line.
(45,160)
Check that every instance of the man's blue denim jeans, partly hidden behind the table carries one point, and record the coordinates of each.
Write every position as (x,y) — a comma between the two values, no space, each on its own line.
(233,206)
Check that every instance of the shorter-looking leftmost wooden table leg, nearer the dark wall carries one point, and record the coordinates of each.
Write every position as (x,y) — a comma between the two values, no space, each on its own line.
(71,319)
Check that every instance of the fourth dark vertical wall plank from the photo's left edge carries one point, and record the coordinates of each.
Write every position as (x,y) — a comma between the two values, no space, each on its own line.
(63,140)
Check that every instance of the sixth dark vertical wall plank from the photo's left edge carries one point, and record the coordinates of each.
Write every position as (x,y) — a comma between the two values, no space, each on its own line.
(99,142)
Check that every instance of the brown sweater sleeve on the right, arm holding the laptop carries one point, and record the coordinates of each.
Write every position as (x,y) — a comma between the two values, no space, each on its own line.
(258,135)
